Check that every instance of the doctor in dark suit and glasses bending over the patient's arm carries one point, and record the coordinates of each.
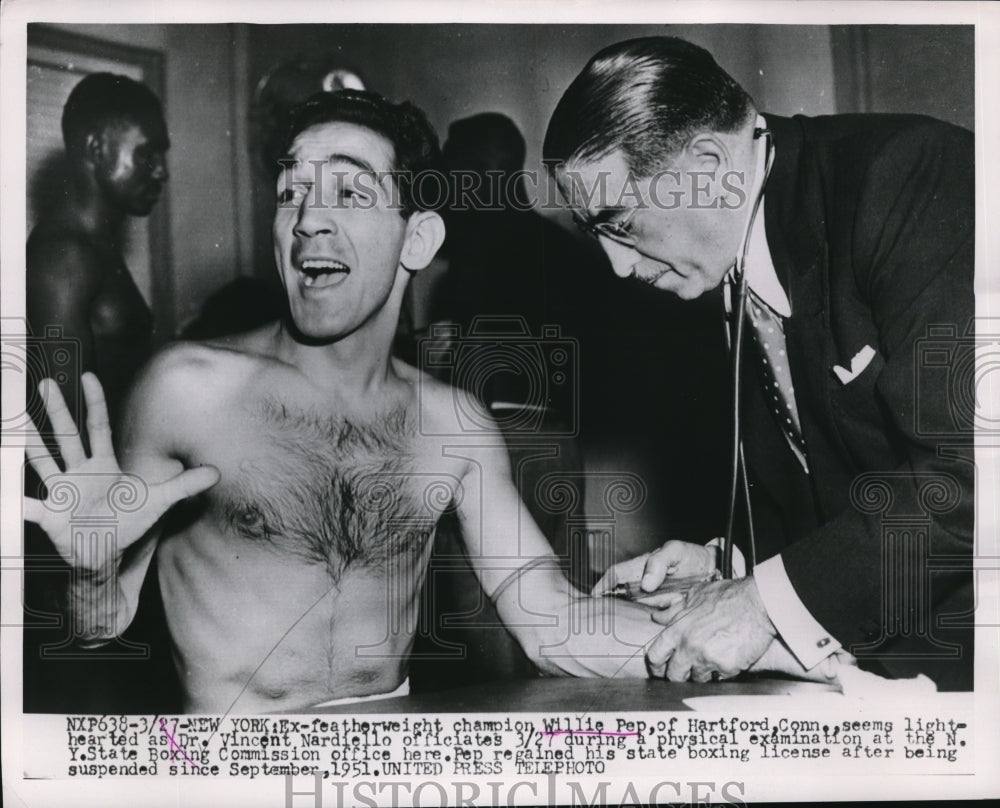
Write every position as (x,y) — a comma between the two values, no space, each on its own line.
(845,246)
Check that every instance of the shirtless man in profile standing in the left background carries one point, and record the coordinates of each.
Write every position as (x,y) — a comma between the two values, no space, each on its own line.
(116,143)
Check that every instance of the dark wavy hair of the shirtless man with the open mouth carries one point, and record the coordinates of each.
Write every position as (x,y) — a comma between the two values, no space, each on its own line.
(404,125)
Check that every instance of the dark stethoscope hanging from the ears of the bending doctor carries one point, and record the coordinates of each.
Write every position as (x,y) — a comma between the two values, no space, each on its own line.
(737,471)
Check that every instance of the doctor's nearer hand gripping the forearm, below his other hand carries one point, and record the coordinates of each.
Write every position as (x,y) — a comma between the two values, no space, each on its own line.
(720,630)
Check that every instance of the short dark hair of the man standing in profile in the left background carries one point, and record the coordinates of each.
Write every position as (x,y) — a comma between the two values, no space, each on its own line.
(106,99)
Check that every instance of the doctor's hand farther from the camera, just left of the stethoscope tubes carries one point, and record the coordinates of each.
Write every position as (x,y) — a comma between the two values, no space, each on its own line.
(674,559)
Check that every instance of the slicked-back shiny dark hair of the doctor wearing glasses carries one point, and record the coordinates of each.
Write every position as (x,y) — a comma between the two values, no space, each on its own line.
(645,97)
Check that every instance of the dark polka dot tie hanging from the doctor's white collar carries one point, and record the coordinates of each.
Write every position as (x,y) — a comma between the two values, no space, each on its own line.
(768,336)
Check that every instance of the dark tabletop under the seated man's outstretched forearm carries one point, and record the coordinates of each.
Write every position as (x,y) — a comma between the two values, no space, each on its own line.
(574,695)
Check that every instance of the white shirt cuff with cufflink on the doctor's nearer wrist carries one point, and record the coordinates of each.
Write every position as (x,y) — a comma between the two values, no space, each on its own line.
(807,639)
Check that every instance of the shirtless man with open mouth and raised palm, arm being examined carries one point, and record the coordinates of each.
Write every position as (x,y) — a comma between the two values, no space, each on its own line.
(310,467)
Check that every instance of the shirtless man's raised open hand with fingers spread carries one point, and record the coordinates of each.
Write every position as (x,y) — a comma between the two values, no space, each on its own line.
(95,487)
